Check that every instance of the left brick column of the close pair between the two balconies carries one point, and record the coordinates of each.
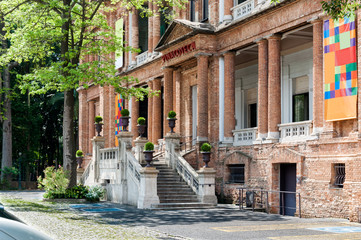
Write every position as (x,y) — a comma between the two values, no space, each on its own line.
(262,110)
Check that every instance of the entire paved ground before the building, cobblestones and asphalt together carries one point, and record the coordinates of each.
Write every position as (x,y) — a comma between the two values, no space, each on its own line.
(114,221)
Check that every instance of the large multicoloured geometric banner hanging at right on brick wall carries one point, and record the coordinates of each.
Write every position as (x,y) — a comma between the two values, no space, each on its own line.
(340,69)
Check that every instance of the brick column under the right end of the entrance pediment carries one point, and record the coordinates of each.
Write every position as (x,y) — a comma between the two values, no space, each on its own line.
(202,97)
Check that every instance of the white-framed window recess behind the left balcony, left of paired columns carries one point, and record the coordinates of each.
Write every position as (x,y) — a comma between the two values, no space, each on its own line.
(246,97)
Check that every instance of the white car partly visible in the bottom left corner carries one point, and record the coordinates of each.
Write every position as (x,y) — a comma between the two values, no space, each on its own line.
(13,230)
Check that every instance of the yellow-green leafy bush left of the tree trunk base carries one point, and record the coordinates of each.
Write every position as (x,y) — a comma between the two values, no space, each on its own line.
(54,182)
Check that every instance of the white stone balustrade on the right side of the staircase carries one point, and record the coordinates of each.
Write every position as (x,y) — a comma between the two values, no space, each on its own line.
(186,171)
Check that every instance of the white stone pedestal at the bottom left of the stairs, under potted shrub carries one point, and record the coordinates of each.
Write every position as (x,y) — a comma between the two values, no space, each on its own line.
(148,188)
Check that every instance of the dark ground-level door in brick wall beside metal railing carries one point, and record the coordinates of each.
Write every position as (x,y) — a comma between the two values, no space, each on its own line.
(288,183)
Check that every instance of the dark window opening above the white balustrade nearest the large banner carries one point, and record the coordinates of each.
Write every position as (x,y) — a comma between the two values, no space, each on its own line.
(300,107)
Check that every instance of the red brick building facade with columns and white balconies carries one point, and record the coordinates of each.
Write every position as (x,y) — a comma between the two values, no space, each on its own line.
(247,76)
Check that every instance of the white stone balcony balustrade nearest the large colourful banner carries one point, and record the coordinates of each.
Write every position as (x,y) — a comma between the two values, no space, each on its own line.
(298,131)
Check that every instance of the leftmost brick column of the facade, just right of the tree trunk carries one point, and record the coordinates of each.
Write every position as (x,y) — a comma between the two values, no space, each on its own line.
(83,121)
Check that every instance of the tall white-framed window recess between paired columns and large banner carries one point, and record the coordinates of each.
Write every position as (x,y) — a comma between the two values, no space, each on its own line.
(296,86)
